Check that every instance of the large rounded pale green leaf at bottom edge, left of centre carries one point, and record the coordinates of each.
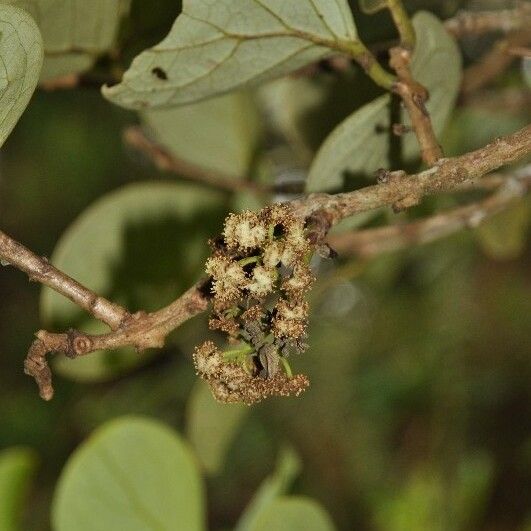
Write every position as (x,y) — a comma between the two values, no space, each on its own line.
(133,473)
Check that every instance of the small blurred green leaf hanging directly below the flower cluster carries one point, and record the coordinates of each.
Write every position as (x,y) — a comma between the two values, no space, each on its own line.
(211,426)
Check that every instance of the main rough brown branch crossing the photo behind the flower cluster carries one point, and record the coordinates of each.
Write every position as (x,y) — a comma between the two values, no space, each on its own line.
(321,211)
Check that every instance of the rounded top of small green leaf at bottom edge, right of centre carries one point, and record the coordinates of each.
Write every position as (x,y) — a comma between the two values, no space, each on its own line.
(292,513)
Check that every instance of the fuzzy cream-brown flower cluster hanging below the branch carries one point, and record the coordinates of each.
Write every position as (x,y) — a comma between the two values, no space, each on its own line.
(260,273)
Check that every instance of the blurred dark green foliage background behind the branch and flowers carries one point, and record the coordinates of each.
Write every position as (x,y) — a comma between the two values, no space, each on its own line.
(418,413)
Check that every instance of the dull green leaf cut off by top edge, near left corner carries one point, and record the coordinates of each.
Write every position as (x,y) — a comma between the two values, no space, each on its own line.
(75,32)
